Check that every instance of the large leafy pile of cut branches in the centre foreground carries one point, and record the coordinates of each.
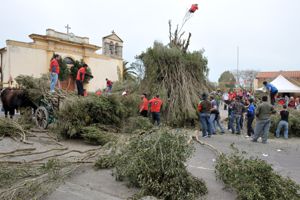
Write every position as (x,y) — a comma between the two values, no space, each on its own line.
(154,162)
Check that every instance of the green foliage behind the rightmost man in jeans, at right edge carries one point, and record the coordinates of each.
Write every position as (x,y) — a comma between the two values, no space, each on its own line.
(294,122)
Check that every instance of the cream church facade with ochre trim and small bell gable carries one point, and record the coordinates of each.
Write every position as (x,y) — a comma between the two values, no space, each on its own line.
(21,58)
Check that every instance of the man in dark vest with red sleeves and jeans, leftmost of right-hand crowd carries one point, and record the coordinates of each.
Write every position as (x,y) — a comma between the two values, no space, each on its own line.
(204,108)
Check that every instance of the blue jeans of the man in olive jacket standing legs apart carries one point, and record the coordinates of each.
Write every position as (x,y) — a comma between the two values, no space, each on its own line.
(262,130)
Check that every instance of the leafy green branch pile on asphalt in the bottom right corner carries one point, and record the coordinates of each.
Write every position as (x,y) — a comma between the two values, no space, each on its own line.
(254,179)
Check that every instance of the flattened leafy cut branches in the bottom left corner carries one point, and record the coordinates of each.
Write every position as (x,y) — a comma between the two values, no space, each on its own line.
(30,181)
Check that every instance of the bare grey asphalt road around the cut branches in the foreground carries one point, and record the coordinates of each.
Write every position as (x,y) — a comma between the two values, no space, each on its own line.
(282,154)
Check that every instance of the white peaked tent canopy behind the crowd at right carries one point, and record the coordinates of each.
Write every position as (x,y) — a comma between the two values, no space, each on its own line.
(283,85)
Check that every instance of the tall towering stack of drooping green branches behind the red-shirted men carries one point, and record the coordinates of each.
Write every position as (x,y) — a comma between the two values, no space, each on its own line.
(178,76)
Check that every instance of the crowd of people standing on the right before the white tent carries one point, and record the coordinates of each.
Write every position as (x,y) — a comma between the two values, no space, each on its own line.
(242,106)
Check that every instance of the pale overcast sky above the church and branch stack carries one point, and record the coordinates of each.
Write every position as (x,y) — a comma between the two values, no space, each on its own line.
(266,31)
